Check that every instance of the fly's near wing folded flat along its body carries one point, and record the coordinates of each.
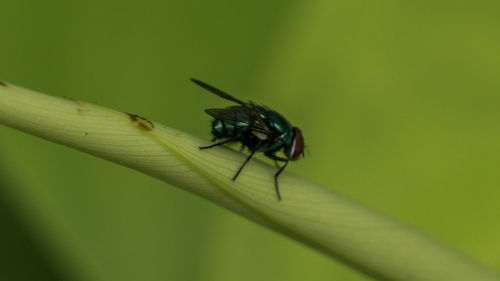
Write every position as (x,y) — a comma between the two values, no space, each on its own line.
(241,116)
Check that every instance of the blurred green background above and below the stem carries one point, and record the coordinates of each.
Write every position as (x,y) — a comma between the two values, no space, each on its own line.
(398,102)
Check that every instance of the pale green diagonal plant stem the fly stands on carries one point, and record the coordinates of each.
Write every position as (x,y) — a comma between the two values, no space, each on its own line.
(370,242)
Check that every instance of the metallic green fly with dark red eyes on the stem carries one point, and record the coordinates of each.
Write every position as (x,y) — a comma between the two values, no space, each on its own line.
(256,127)
